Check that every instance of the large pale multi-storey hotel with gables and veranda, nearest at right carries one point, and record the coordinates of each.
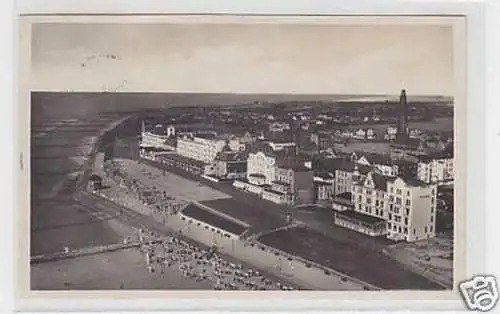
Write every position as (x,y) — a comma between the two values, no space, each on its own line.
(407,206)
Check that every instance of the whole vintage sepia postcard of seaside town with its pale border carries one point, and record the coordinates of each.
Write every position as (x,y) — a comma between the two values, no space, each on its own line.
(173,155)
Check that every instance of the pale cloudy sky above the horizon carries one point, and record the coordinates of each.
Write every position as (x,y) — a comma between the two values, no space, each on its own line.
(243,58)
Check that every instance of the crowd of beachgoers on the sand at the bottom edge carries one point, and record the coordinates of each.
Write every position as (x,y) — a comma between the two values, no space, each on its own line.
(201,264)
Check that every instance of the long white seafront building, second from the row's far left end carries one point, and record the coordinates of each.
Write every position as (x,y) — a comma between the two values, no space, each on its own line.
(201,147)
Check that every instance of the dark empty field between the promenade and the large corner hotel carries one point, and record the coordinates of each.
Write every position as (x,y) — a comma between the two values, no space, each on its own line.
(347,258)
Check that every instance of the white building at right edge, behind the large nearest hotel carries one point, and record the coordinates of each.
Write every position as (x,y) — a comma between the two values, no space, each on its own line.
(436,170)
